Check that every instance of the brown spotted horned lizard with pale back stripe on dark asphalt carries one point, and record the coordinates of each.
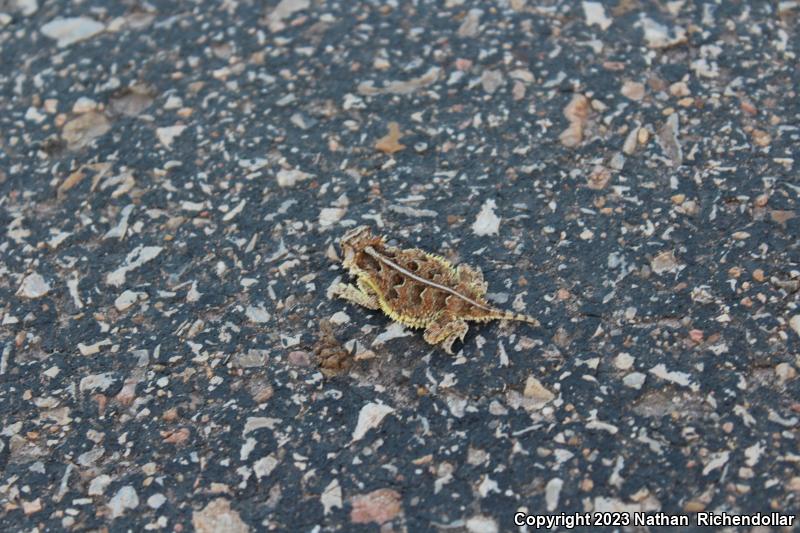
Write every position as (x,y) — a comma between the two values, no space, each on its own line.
(417,288)
